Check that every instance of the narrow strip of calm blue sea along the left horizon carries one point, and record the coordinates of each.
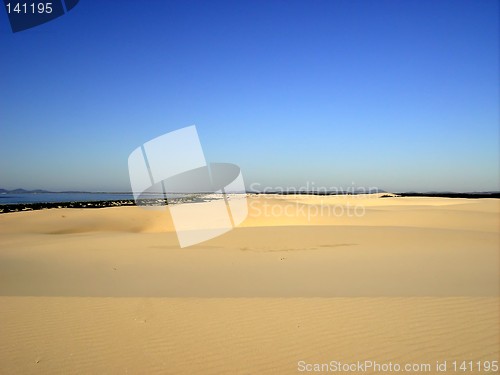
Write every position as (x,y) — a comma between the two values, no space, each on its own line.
(60,197)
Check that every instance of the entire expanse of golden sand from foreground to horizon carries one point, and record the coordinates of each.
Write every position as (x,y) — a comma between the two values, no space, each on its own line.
(304,280)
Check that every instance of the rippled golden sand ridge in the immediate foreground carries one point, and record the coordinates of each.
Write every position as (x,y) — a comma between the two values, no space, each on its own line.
(238,336)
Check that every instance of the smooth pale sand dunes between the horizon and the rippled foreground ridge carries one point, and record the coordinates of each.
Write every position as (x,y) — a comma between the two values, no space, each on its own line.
(420,250)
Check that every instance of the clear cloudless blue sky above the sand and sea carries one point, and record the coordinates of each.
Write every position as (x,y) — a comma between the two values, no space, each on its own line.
(402,95)
